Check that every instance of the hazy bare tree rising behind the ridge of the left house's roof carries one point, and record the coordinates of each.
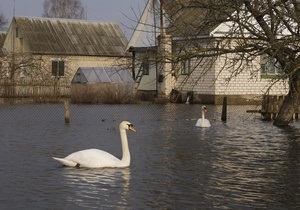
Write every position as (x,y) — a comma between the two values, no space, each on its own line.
(70,9)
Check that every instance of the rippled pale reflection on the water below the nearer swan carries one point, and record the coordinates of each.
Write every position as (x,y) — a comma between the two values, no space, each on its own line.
(97,186)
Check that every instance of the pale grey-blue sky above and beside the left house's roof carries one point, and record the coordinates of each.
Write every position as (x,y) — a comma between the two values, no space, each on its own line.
(120,11)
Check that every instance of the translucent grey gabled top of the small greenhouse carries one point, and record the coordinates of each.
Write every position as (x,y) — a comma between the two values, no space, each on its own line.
(106,74)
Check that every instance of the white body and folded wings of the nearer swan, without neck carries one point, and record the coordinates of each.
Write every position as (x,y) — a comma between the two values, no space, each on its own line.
(91,158)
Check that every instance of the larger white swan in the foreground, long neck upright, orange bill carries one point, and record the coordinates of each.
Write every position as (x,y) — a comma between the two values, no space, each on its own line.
(94,158)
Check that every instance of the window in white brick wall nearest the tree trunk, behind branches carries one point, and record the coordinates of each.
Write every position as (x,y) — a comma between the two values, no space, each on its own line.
(269,66)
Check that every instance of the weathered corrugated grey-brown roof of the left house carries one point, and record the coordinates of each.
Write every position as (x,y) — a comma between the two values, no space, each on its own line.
(72,37)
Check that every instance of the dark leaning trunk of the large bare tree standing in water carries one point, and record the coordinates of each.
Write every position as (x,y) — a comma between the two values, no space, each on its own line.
(290,103)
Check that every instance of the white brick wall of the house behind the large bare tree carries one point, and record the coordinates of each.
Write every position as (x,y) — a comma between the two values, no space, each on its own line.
(211,78)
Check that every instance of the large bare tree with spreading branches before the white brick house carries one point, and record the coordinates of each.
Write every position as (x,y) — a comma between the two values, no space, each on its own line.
(256,28)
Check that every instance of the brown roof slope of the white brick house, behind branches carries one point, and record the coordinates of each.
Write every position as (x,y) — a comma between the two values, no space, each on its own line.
(197,18)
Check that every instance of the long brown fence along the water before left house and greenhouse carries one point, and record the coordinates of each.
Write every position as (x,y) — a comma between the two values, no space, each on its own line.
(58,90)
